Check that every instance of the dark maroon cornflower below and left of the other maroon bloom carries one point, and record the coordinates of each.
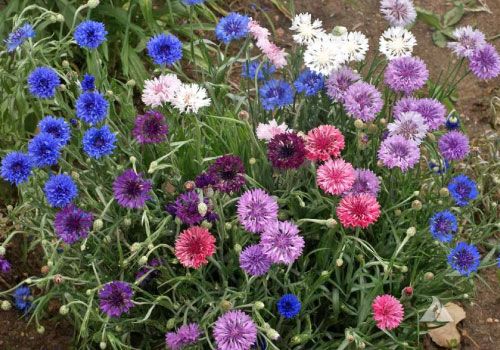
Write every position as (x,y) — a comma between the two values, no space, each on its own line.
(229,172)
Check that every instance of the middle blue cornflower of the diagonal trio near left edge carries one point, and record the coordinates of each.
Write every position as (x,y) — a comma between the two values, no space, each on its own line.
(44,150)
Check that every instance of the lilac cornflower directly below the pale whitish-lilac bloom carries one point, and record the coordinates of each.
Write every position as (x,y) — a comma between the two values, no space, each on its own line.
(396,151)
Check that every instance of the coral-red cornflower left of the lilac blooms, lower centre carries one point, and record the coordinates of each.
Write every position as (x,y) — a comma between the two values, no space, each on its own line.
(194,246)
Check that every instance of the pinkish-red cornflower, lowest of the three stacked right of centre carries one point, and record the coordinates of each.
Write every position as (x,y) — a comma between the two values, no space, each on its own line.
(358,210)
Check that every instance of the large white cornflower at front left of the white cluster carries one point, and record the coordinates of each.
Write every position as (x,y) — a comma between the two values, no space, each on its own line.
(325,54)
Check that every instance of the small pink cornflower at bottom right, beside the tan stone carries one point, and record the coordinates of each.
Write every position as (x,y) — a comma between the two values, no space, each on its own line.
(388,312)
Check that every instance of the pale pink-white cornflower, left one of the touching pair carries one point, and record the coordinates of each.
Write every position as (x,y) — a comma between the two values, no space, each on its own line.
(159,90)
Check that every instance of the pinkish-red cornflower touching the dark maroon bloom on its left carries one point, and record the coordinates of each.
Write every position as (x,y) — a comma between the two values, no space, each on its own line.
(323,143)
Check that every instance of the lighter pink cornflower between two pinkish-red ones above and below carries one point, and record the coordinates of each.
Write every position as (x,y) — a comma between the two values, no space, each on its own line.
(335,176)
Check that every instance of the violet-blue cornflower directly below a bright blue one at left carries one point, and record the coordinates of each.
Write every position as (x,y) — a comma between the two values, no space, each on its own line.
(72,223)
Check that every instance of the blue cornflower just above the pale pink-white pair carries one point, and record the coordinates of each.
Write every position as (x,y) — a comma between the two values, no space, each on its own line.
(164,49)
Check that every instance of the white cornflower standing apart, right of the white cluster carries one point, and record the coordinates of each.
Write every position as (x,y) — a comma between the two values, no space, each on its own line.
(397,42)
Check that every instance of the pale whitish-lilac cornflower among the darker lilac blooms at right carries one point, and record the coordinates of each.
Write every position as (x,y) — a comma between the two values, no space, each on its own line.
(410,125)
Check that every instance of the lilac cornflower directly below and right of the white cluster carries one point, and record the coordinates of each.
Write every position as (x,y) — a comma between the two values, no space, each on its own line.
(363,101)
